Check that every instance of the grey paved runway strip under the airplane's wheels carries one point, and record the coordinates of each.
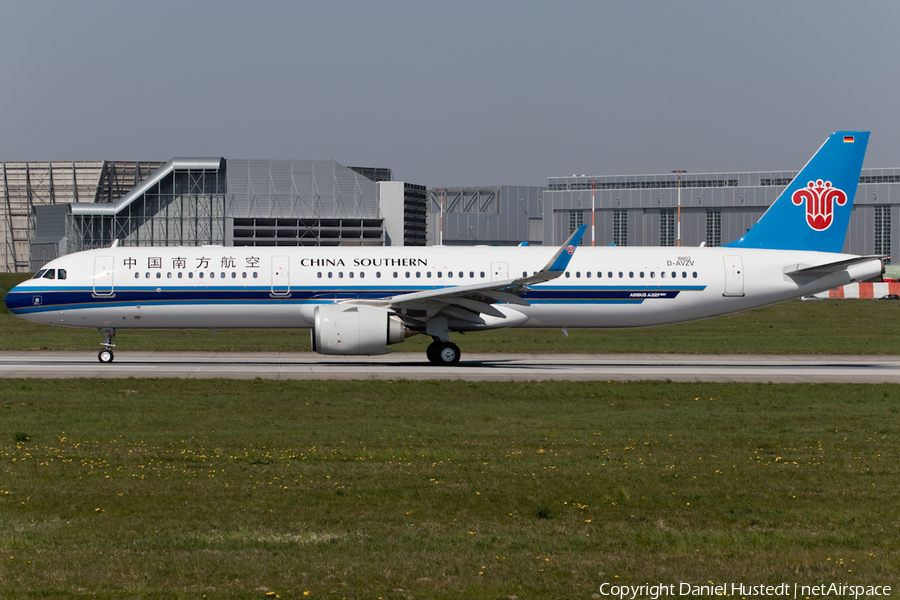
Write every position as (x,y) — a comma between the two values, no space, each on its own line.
(473,367)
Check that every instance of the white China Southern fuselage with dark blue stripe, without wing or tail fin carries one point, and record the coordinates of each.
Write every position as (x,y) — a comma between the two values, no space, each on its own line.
(278,287)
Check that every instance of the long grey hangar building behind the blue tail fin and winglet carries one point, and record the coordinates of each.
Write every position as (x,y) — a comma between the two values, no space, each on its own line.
(642,210)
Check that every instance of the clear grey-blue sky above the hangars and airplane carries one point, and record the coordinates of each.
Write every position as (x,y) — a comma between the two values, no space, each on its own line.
(452,93)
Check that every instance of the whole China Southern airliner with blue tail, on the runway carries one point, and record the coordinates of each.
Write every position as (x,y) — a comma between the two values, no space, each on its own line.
(360,300)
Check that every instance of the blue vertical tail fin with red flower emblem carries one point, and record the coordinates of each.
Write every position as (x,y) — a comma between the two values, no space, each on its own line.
(812,213)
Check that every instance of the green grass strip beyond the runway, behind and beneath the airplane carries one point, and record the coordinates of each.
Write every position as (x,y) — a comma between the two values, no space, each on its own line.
(824,327)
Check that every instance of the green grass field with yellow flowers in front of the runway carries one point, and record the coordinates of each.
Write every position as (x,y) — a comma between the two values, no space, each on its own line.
(235,489)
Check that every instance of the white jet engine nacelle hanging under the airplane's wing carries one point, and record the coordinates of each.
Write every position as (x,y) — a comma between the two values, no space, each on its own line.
(355,329)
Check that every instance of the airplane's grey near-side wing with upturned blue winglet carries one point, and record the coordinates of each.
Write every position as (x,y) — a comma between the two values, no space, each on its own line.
(467,302)
